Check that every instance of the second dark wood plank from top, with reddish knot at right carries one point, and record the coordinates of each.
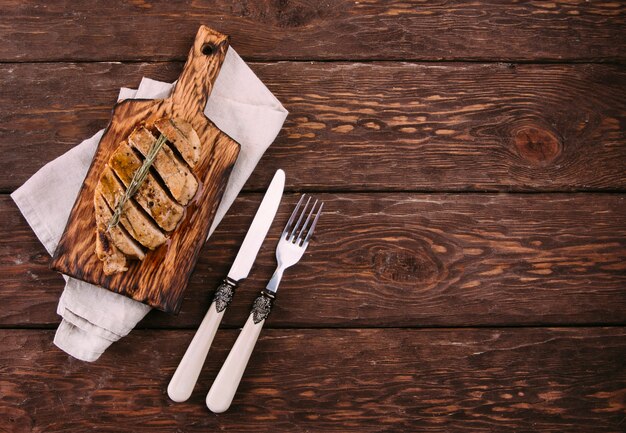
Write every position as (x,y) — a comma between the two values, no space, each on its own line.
(378,126)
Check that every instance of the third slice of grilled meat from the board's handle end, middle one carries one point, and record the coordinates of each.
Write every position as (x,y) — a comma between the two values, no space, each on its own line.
(150,196)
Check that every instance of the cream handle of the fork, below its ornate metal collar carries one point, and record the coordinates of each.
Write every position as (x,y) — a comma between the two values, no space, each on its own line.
(223,390)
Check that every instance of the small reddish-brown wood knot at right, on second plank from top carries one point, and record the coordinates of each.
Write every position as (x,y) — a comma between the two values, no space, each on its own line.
(537,145)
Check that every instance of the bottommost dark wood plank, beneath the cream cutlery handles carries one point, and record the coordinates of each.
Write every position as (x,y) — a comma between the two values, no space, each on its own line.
(394,380)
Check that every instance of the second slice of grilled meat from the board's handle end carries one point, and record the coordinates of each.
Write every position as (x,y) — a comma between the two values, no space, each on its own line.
(175,173)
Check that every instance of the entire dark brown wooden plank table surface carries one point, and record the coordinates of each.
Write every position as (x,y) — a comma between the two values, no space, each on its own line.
(469,273)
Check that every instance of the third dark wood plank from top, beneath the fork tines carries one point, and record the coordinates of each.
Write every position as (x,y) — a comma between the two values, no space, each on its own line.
(391,260)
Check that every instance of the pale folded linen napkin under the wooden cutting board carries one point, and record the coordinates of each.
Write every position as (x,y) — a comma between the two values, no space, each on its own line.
(93,317)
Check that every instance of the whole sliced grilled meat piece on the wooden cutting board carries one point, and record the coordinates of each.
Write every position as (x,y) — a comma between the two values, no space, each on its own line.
(158,204)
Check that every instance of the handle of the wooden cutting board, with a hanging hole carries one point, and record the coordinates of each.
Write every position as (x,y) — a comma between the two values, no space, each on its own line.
(203,65)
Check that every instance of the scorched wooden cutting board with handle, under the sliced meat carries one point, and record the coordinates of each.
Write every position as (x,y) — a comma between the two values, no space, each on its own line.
(160,279)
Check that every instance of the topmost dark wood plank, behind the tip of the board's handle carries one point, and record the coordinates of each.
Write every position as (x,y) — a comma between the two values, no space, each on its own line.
(344,29)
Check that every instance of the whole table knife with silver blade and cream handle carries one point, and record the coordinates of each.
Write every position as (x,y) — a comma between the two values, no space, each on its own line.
(186,375)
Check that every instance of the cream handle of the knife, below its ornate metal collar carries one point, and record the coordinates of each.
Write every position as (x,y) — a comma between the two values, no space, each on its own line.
(186,375)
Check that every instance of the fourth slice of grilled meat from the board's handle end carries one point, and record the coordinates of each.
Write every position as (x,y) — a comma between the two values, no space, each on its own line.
(136,223)
